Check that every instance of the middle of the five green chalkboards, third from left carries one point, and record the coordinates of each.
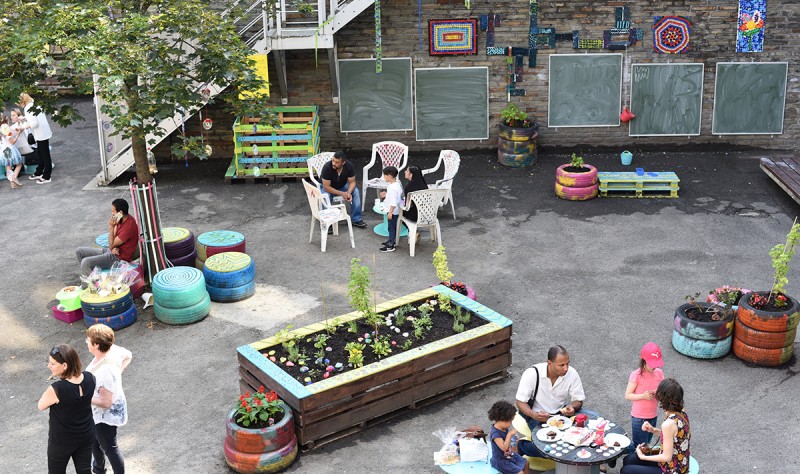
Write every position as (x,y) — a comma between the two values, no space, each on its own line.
(585,90)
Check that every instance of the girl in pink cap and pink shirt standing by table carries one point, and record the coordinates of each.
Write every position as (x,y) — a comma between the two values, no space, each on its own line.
(642,385)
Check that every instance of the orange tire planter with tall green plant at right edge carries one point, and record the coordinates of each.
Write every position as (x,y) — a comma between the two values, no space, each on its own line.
(766,322)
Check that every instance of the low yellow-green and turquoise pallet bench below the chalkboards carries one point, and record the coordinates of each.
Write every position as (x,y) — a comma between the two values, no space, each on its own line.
(632,184)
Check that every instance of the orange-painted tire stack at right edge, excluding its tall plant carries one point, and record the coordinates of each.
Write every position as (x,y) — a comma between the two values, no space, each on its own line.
(765,337)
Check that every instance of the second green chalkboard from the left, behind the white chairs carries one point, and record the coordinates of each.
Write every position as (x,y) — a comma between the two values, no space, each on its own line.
(452,103)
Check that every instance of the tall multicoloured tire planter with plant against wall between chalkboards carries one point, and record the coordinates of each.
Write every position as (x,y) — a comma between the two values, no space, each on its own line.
(516,146)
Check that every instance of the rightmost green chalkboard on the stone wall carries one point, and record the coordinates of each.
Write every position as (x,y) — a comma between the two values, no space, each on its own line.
(749,98)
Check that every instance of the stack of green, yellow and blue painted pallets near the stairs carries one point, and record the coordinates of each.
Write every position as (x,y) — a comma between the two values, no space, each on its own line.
(262,150)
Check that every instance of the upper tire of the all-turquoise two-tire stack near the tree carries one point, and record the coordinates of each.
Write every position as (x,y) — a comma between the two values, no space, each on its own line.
(179,287)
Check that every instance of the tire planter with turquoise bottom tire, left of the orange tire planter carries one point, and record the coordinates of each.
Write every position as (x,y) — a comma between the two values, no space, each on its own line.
(702,330)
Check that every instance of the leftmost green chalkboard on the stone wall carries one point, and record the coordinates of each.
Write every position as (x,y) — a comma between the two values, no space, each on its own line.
(370,102)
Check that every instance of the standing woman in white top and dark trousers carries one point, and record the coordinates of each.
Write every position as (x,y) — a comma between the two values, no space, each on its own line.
(109,406)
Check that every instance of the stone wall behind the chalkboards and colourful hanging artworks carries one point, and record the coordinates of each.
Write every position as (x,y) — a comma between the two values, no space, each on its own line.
(713,38)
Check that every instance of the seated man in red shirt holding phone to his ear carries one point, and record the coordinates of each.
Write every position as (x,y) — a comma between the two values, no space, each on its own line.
(123,239)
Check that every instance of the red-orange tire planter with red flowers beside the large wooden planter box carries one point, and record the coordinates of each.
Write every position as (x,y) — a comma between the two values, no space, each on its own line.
(260,434)
